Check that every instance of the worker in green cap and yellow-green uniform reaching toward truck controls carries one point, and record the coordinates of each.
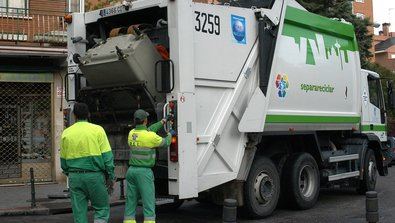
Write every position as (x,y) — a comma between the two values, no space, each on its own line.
(140,179)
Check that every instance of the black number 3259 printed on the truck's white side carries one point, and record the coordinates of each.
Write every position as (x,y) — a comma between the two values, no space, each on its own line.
(207,23)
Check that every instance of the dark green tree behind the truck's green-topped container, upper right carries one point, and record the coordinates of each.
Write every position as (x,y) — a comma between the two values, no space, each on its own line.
(342,9)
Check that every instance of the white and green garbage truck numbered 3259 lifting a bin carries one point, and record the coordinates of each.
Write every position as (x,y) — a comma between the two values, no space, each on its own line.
(268,101)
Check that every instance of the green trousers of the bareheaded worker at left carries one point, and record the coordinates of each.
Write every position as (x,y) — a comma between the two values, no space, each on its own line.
(91,187)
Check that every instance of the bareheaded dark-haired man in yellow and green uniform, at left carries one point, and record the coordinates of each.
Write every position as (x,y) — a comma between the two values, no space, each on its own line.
(86,157)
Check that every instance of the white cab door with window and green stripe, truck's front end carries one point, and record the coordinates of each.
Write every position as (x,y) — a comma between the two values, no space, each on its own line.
(376,109)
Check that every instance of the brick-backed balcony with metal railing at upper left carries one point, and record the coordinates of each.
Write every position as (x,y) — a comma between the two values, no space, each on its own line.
(32,28)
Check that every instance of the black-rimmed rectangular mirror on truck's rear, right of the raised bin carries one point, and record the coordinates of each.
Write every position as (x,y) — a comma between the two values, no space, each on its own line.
(164,76)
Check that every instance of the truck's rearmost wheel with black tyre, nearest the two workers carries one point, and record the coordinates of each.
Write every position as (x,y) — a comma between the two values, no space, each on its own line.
(262,189)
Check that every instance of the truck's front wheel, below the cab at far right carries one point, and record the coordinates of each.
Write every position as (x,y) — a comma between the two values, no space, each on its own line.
(369,173)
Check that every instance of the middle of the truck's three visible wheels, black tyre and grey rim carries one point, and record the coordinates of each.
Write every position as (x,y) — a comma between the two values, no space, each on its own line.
(300,181)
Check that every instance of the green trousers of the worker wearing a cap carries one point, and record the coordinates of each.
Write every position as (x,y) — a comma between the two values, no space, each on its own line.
(140,184)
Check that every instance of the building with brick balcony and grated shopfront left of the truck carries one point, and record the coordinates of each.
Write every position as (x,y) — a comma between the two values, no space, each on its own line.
(32,68)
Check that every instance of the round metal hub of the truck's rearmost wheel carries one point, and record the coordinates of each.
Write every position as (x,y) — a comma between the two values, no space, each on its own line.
(264,188)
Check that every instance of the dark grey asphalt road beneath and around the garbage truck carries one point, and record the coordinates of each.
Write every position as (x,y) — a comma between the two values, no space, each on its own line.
(334,206)
